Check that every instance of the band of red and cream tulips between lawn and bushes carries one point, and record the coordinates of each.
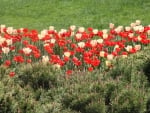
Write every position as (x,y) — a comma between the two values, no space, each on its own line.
(73,48)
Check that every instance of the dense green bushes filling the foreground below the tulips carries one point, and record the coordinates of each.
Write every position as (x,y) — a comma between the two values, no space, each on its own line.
(42,89)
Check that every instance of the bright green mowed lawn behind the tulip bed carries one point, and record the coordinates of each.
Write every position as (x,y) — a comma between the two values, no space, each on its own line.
(40,14)
